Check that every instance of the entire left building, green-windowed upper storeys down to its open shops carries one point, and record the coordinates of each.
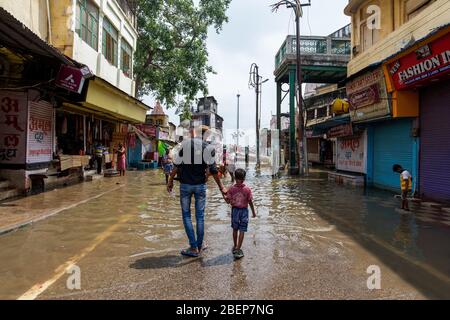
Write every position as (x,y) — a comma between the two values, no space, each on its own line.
(89,98)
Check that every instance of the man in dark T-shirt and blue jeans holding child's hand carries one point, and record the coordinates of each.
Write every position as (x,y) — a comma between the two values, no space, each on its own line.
(191,164)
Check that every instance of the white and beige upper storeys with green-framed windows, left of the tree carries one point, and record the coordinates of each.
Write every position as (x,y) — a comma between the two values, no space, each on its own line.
(98,33)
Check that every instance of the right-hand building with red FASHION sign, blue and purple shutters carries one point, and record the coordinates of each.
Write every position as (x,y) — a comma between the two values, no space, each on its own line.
(398,89)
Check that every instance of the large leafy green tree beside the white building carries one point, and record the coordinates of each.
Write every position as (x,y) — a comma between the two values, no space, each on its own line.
(171,57)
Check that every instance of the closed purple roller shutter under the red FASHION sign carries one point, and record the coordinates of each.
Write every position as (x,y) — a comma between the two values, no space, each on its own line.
(435,142)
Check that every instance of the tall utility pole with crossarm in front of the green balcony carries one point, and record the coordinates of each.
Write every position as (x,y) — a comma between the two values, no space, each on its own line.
(297,6)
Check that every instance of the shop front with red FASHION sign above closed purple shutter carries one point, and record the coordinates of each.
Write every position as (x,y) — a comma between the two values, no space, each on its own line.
(423,72)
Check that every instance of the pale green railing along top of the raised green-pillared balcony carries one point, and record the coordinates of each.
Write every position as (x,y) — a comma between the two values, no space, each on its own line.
(312,46)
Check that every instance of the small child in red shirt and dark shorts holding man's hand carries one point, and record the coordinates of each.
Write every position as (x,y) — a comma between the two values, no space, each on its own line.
(240,197)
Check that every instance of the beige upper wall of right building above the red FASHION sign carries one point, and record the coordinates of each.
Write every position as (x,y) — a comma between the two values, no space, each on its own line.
(381,28)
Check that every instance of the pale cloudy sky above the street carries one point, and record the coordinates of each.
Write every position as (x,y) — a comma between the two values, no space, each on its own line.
(254,34)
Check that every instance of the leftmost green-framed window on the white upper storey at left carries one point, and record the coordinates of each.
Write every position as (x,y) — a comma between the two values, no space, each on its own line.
(87,22)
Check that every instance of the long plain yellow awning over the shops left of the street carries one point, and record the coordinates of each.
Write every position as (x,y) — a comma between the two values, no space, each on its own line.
(107,99)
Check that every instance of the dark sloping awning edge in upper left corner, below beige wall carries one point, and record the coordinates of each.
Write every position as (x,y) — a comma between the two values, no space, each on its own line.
(17,37)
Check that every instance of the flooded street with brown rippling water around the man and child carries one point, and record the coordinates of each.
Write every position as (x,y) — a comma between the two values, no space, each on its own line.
(312,240)
